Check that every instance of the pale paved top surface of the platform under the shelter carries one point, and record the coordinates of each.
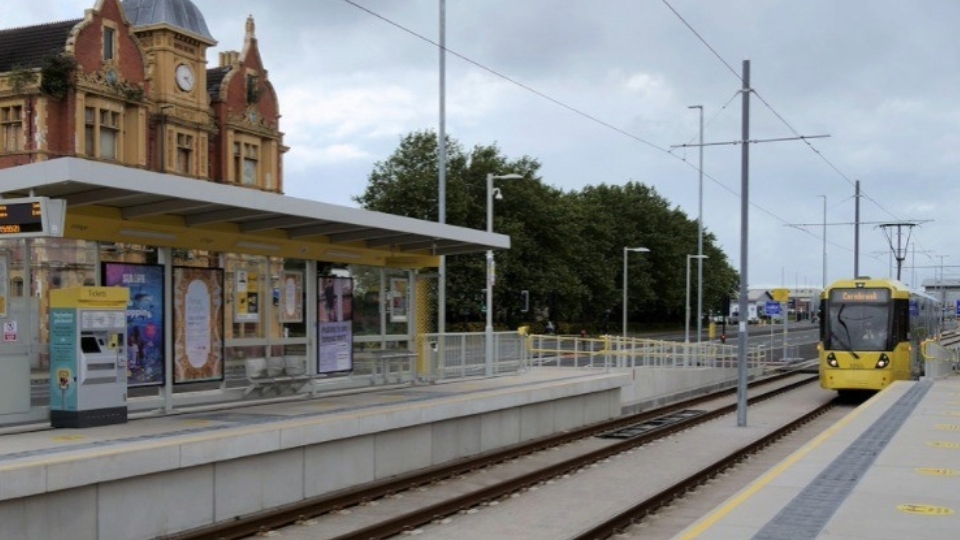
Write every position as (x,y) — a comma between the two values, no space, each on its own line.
(38,459)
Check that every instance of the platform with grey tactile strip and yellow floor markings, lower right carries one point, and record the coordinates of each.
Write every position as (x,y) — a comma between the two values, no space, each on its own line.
(890,470)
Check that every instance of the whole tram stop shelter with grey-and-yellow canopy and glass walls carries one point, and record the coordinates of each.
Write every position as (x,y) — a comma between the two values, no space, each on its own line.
(184,222)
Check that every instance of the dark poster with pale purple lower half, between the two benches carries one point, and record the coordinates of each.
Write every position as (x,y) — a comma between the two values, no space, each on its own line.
(335,320)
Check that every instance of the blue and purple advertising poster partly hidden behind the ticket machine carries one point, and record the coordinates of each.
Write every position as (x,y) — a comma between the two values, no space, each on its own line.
(145,339)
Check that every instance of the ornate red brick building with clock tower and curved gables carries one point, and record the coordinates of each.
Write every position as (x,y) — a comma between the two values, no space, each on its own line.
(128,83)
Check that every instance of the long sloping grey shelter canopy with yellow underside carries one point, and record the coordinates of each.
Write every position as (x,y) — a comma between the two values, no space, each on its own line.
(111,203)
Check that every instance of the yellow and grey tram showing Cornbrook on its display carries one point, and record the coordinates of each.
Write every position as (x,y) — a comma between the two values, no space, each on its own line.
(870,330)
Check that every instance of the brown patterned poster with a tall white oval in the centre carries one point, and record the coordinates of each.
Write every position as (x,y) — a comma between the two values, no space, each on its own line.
(198,320)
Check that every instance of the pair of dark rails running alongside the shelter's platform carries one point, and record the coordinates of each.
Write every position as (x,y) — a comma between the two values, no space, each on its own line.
(302,512)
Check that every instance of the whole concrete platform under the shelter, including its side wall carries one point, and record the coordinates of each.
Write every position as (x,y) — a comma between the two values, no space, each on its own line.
(158,476)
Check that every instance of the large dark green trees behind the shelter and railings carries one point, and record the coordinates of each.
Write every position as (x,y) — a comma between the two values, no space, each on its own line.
(566,248)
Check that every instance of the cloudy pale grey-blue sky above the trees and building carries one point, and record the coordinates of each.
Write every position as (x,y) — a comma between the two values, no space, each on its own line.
(598,91)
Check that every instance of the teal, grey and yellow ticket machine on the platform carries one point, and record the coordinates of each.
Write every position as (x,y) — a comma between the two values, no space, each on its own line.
(88,361)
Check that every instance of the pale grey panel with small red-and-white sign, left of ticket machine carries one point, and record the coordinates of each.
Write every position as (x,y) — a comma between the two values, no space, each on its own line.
(19,317)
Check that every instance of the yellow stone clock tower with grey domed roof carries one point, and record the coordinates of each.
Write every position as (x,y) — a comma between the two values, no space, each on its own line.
(175,39)
